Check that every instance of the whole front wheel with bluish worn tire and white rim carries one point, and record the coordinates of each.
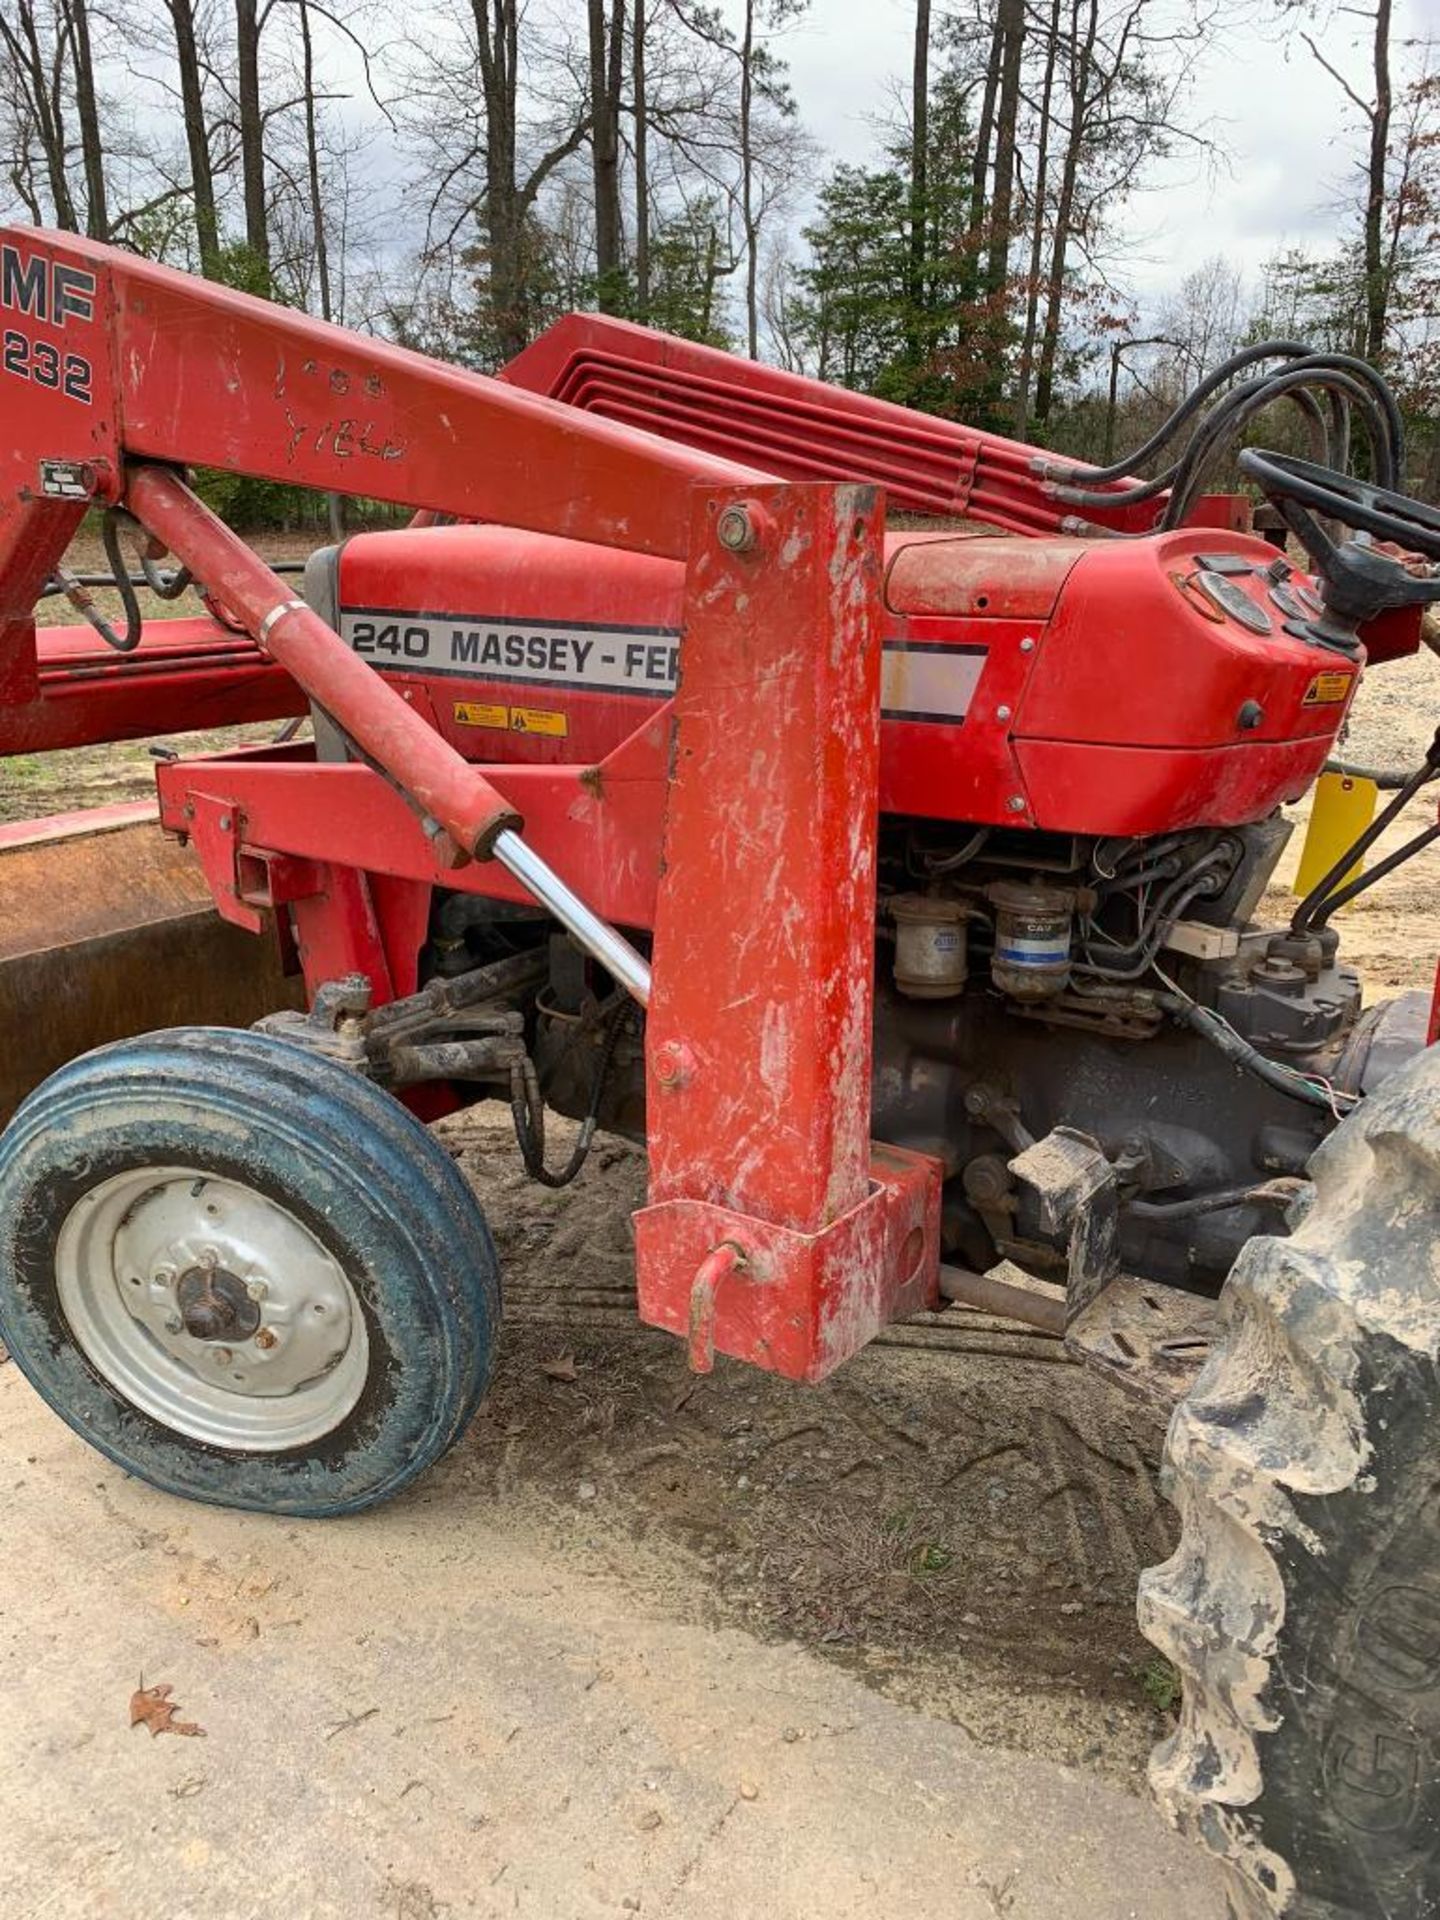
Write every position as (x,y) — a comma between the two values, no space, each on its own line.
(243,1272)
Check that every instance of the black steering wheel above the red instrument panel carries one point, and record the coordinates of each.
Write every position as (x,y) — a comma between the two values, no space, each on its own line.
(1360,583)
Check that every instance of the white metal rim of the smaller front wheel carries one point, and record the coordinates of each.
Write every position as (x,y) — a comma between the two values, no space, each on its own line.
(283,1376)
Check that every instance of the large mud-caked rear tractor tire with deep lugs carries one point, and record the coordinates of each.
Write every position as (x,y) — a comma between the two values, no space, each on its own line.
(1303,1604)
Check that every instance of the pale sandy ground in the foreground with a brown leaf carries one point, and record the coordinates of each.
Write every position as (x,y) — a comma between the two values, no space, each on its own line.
(485,1700)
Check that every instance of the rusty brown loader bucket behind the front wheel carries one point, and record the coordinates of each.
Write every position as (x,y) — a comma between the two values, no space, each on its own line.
(108,930)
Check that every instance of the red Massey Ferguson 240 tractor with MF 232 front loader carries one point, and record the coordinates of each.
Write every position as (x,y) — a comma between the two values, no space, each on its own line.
(898,890)
